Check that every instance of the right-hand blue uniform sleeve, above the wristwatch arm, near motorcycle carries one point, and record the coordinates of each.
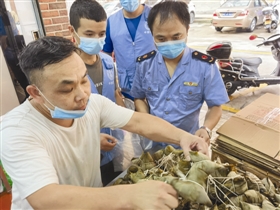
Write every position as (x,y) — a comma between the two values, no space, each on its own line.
(215,93)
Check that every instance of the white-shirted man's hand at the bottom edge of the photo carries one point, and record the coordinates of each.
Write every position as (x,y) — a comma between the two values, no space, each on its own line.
(153,195)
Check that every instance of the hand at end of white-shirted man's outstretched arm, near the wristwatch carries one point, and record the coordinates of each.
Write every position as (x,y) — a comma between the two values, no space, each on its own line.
(194,143)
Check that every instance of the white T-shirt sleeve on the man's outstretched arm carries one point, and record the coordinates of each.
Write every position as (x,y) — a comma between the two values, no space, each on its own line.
(112,115)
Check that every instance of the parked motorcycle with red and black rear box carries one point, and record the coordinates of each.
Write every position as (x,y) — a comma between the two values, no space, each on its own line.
(240,72)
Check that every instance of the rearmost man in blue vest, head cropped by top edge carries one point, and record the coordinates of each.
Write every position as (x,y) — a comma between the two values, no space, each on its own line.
(128,36)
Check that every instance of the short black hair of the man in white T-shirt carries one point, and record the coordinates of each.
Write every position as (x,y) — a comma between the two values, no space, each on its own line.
(43,52)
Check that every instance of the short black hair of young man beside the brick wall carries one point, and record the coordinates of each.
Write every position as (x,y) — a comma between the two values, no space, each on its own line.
(88,9)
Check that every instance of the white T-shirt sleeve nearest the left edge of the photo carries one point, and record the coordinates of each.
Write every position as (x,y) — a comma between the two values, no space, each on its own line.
(26,161)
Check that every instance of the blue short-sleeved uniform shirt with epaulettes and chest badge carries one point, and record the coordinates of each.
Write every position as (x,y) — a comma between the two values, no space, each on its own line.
(178,99)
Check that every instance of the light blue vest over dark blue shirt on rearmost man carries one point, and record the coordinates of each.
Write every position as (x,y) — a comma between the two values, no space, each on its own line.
(127,49)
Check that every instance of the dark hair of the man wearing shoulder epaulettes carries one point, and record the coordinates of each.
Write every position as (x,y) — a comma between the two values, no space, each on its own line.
(166,9)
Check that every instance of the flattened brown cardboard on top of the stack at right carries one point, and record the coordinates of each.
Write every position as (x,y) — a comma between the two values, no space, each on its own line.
(256,127)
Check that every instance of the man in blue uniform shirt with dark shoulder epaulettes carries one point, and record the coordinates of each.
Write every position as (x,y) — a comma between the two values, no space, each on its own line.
(174,81)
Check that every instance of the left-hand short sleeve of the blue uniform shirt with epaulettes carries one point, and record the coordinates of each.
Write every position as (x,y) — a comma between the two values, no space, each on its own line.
(137,90)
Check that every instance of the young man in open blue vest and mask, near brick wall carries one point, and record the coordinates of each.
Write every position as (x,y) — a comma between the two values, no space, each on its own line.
(88,25)
